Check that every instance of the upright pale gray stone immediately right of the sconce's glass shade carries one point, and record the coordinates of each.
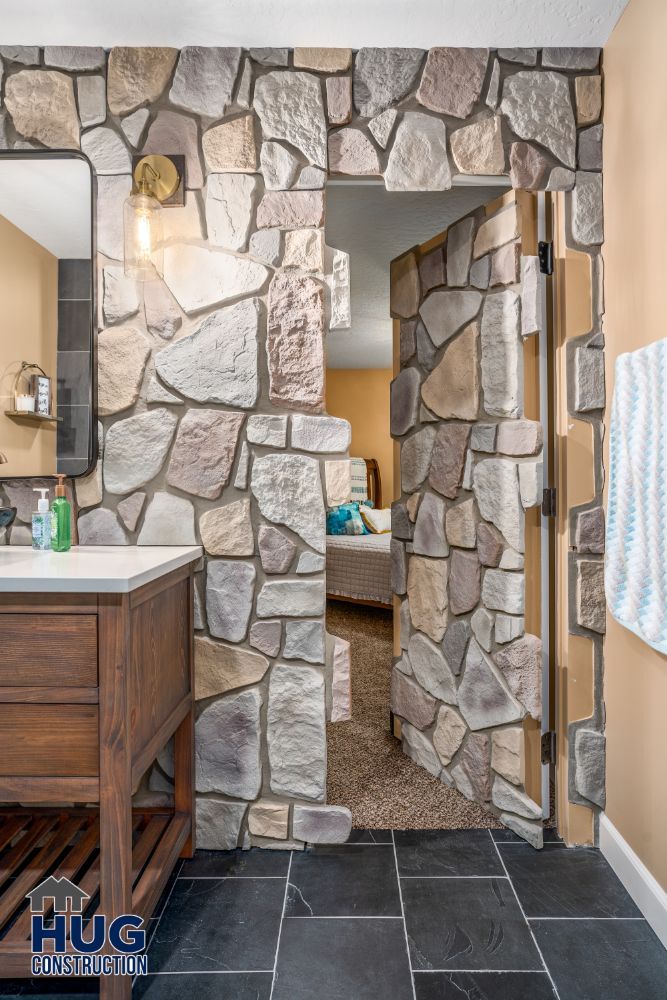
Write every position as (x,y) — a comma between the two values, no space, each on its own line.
(229,204)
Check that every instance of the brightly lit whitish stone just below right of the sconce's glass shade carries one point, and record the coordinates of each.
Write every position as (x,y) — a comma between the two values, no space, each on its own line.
(199,277)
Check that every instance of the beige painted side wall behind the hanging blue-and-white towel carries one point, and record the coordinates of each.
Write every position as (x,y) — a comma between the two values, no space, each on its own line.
(635,153)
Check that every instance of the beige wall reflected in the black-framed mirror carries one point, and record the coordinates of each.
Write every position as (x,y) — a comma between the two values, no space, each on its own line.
(28,332)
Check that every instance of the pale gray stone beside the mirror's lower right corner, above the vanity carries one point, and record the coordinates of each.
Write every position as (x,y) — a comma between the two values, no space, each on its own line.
(135,449)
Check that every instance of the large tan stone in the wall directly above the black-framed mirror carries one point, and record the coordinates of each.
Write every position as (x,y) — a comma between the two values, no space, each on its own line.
(42,106)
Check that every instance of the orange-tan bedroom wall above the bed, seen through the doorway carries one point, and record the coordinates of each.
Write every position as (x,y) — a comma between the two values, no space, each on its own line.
(361,395)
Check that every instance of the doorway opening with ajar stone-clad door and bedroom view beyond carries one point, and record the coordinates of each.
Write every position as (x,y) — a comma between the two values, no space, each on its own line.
(409,331)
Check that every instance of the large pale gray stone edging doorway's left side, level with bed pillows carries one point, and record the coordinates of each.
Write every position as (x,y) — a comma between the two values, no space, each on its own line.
(288,490)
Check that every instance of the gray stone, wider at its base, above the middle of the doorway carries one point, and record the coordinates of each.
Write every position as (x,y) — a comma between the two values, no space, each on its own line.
(418,158)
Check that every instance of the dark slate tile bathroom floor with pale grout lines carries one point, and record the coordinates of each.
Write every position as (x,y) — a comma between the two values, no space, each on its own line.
(414,915)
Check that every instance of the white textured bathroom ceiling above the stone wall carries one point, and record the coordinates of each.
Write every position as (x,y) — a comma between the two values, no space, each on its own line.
(421,23)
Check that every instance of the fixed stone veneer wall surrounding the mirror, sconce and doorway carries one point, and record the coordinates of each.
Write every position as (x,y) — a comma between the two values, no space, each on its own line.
(211,383)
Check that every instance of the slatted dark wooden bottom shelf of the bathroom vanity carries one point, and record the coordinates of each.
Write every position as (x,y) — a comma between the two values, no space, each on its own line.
(67,842)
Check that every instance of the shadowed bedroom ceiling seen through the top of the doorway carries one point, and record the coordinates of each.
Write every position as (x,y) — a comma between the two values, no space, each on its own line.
(374,226)
